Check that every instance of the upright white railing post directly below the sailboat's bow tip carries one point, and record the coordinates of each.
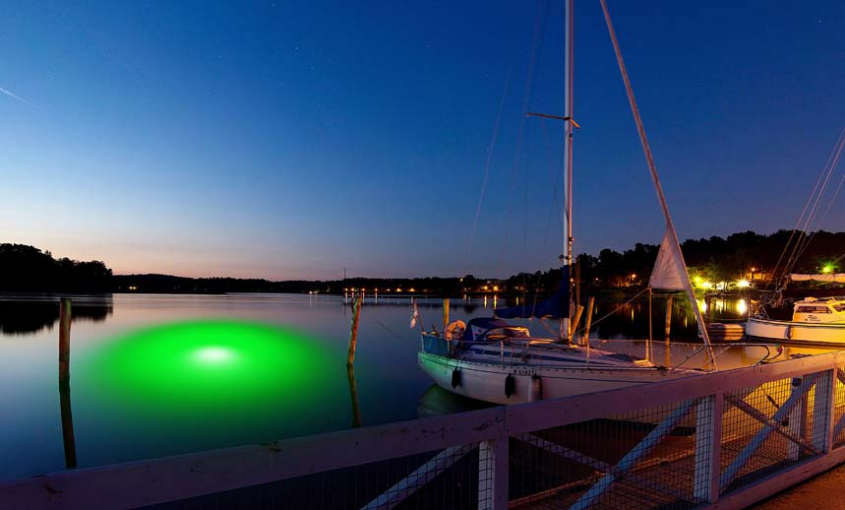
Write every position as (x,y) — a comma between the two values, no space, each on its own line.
(708,447)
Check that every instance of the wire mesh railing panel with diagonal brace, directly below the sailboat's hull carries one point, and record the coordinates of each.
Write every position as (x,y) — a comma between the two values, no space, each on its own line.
(632,461)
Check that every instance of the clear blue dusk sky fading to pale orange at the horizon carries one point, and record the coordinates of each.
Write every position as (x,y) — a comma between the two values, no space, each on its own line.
(286,139)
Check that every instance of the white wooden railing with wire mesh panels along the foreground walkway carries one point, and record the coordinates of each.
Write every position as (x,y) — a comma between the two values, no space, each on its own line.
(715,440)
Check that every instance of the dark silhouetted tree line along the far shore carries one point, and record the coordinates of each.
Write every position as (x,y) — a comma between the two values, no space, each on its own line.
(26,268)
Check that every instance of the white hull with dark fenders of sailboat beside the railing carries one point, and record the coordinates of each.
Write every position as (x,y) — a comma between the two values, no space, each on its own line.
(486,381)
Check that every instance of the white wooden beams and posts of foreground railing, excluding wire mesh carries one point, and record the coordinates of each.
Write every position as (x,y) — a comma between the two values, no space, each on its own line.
(181,477)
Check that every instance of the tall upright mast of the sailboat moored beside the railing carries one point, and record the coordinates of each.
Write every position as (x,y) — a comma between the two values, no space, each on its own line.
(568,124)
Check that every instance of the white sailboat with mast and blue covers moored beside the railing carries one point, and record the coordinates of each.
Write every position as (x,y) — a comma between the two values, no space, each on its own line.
(492,360)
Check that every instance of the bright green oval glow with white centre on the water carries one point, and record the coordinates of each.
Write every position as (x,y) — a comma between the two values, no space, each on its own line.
(201,367)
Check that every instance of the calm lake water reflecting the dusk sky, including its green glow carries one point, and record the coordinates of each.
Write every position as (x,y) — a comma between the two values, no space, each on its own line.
(157,375)
